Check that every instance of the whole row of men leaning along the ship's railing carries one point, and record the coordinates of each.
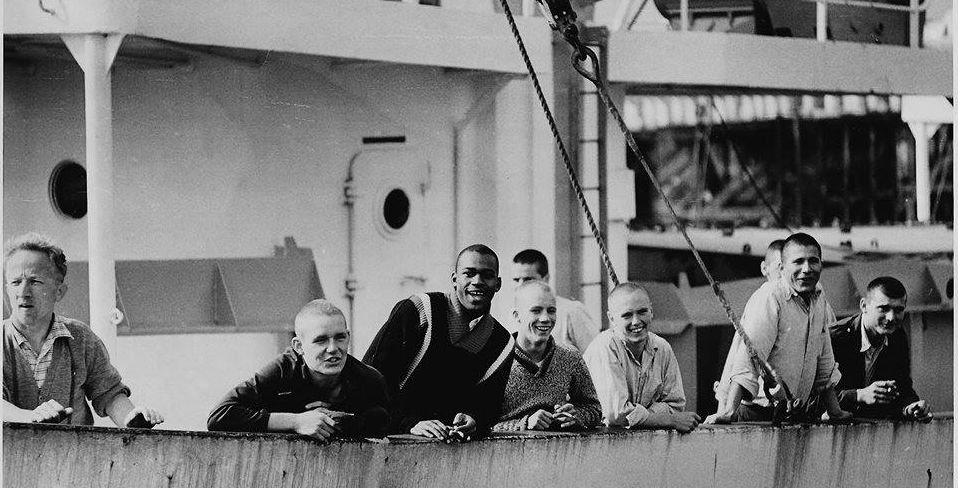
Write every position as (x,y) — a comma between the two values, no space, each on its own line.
(442,367)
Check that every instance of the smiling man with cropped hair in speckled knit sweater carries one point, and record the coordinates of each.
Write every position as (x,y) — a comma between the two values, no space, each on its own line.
(549,387)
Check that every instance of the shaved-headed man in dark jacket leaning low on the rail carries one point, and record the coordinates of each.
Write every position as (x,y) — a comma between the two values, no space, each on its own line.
(314,388)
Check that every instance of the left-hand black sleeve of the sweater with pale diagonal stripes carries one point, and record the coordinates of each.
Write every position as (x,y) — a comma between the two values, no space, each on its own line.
(388,354)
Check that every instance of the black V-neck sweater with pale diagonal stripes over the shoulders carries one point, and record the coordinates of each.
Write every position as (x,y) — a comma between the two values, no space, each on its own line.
(447,379)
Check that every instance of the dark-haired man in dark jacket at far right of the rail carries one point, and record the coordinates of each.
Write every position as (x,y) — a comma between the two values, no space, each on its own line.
(872,353)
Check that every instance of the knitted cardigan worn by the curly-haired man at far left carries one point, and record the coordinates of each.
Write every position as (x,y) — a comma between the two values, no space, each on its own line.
(80,370)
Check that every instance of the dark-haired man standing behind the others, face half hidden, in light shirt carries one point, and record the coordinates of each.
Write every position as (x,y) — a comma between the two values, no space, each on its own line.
(573,327)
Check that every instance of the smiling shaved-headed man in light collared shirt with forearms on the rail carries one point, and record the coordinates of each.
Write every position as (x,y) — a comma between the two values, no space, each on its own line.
(635,372)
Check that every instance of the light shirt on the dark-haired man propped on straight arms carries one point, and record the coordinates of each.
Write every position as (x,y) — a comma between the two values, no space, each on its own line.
(792,336)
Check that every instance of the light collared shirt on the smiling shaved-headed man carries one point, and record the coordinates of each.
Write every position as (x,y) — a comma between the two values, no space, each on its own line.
(630,388)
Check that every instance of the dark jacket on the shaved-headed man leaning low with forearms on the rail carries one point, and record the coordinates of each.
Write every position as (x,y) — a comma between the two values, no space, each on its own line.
(284,385)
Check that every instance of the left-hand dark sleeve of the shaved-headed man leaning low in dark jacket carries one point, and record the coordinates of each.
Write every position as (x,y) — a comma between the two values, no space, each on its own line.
(245,408)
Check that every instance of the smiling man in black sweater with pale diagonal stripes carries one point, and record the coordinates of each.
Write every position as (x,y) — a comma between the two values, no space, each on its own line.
(445,359)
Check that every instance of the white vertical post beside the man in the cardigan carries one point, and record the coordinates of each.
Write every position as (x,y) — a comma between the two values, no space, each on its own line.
(99,160)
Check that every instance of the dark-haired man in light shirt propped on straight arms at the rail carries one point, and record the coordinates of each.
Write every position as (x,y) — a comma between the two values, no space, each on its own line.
(787,322)
